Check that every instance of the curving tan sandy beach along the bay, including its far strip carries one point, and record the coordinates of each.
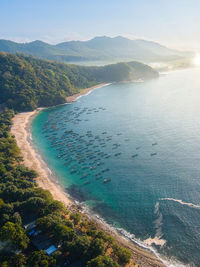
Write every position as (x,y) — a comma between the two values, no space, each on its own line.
(21,129)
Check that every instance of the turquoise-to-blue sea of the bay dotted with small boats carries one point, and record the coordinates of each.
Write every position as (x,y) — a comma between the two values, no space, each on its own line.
(131,152)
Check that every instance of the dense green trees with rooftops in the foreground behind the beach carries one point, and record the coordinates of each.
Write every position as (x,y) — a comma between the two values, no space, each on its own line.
(23,203)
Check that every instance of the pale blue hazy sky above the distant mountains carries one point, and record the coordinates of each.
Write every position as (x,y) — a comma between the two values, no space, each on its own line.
(175,23)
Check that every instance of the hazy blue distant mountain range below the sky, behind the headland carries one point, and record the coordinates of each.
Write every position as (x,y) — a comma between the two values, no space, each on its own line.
(105,49)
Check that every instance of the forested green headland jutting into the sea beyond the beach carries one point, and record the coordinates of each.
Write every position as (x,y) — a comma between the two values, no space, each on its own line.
(27,83)
